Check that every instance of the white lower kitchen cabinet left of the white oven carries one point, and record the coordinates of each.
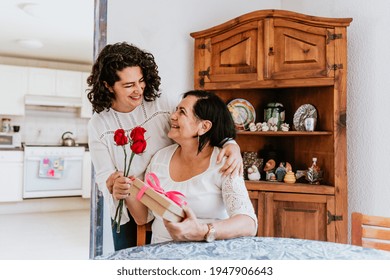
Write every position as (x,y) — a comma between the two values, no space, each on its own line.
(11,174)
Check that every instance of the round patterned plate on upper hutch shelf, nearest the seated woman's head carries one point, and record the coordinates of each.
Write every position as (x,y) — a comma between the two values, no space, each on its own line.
(242,112)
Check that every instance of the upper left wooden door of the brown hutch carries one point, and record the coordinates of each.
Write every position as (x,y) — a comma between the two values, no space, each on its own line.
(230,56)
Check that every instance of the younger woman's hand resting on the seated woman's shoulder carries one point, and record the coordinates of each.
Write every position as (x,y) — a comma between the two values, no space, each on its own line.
(233,165)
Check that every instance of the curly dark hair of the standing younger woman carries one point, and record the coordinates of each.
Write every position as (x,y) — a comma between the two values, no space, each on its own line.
(115,58)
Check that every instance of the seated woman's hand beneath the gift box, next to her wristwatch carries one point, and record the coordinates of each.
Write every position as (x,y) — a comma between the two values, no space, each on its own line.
(187,230)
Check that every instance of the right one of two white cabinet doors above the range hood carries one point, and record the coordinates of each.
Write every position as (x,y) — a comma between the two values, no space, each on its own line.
(68,83)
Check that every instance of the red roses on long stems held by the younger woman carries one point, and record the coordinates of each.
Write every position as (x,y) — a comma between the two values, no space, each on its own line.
(137,146)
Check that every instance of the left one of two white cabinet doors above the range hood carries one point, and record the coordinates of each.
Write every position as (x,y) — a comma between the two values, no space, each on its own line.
(41,81)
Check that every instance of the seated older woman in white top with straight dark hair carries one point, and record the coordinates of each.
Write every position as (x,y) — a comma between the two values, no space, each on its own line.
(218,207)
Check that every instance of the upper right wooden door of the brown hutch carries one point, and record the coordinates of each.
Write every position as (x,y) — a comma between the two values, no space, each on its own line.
(296,50)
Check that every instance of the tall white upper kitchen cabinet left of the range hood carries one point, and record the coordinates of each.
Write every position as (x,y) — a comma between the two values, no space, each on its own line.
(13,80)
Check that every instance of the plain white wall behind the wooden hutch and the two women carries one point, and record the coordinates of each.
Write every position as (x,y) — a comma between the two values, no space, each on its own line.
(163,27)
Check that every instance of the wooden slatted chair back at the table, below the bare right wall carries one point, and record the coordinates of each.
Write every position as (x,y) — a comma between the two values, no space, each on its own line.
(370,231)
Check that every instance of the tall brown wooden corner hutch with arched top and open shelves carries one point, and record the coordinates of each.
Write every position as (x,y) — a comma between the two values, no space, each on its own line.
(280,56)
